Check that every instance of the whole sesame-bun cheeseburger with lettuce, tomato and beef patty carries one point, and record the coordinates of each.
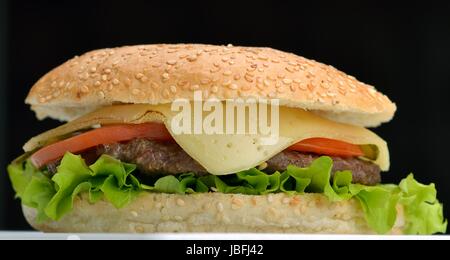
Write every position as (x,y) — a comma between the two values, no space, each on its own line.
(120,163)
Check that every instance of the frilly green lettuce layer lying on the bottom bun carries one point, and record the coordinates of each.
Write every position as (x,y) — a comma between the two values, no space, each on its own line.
(113,180)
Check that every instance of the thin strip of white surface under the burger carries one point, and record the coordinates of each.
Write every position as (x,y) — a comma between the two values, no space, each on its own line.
(201,236)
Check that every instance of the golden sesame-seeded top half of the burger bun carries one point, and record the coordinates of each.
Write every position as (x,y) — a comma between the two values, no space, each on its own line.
(156,74)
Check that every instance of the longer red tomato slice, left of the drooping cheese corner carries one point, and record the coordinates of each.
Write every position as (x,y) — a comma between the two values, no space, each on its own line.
(103,135)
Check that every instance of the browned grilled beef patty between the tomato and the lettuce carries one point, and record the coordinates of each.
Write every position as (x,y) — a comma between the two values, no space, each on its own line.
(153,157)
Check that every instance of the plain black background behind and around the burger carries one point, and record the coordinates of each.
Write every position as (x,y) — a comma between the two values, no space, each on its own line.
(403,50)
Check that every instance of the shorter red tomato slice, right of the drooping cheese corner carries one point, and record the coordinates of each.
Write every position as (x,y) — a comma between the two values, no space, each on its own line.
(327,146)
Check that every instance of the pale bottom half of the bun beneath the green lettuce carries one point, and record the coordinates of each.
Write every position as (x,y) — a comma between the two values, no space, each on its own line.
(215,212)
